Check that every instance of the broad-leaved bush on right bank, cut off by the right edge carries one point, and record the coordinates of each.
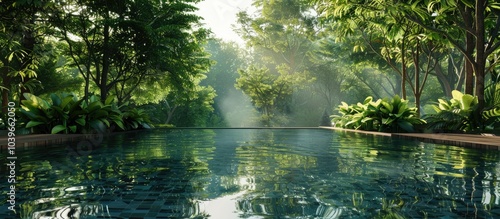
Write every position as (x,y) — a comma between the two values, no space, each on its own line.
(457,114)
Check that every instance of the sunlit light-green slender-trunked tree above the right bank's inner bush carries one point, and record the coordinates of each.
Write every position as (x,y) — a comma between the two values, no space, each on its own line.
(383,28)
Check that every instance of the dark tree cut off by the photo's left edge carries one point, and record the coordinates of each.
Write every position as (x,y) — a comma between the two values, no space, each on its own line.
(20,37)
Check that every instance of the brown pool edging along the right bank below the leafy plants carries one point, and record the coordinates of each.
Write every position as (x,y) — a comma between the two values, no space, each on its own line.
(490,142)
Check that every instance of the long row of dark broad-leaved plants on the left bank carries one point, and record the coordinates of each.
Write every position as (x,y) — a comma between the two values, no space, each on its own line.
(66,114)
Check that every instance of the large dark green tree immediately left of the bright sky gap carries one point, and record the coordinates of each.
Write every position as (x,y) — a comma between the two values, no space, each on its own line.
(121,45)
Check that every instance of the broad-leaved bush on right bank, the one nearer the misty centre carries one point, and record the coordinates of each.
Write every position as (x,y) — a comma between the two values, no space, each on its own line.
(385,115)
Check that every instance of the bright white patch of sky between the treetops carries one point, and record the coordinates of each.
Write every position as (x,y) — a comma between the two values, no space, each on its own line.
(219,15)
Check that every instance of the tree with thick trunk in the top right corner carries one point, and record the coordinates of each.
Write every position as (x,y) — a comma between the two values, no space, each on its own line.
(474,30)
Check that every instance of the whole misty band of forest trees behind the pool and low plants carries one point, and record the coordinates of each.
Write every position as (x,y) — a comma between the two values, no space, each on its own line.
(300,60)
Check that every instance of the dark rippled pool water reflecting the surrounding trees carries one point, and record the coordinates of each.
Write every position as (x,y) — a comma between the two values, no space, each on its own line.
(254,173)
